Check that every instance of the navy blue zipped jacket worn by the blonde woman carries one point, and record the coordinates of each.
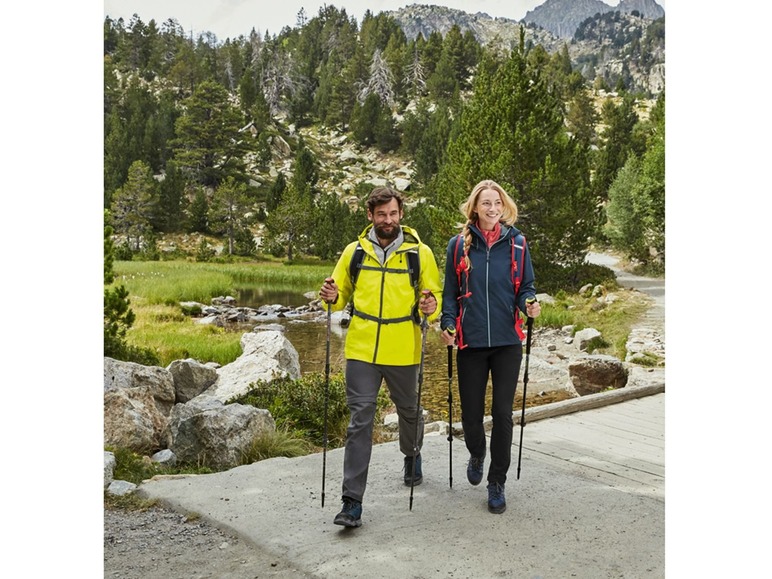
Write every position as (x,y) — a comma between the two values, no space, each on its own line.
(490,308)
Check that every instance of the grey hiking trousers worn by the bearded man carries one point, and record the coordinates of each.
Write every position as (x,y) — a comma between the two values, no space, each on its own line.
(363,380)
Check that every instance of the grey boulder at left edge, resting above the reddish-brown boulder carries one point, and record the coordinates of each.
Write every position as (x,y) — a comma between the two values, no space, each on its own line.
(129,375)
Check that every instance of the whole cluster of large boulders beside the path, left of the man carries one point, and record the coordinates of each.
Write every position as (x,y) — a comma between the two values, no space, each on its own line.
(139,401)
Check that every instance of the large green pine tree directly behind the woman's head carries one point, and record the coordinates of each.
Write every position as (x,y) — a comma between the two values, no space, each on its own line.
(512,131)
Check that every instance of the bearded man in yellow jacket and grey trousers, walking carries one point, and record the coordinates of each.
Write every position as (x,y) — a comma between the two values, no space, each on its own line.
(384,338)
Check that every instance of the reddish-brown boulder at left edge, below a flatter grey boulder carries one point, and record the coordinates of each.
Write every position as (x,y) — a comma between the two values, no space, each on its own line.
(132,420)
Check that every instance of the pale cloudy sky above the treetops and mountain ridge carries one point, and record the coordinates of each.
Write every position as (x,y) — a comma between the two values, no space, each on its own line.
(232,18)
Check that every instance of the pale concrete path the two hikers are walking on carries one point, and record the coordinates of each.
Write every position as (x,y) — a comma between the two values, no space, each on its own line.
(589,504)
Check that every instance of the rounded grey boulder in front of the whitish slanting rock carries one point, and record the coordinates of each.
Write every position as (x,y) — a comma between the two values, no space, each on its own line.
(205,431)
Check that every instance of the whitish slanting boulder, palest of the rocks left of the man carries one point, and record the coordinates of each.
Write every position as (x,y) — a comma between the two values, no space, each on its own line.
(267,355)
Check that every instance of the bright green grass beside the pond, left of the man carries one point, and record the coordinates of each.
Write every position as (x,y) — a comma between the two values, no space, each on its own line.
(156,289)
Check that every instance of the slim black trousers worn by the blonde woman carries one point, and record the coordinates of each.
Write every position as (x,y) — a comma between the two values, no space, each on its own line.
(474,364)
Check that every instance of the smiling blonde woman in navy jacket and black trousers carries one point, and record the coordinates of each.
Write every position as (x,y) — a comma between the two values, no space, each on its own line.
(489,281)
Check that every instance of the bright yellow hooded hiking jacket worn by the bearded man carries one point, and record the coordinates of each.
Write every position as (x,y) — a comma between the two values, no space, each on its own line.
(382,329)
